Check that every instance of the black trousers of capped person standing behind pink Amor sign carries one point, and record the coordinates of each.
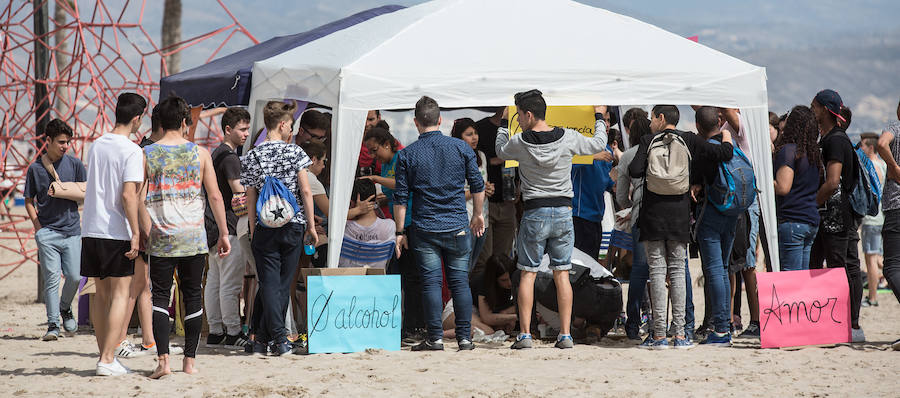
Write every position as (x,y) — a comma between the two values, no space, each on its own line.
(838,250)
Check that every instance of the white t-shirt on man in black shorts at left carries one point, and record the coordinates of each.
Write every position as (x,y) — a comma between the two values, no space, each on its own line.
(112,161)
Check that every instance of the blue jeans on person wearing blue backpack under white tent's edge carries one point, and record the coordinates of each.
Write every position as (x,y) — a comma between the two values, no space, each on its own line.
(715,236)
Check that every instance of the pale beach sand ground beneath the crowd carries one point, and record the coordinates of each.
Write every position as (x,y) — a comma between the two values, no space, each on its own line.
(30,367)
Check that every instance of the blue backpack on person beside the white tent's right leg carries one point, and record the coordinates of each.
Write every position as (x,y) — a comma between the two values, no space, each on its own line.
(734,188)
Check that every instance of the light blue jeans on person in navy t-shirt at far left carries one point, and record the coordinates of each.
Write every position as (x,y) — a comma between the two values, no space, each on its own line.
(58,254)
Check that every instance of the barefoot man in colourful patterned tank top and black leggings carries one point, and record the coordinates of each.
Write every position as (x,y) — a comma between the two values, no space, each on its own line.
(177,172)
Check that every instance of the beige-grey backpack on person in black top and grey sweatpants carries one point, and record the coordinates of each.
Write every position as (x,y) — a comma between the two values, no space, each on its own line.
(668,165)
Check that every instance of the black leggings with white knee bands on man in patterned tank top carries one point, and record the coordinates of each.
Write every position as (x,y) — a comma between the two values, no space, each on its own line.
(190,276)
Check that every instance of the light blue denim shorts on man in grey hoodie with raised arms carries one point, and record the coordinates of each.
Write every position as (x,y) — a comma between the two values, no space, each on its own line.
(546,230)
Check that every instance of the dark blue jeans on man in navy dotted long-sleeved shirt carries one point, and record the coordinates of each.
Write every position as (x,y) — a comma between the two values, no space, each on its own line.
(453,249)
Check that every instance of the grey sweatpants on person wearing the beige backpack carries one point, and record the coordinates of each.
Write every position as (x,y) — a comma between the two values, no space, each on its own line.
(662,257)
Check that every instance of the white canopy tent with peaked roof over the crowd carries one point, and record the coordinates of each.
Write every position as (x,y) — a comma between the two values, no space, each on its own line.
(498,48)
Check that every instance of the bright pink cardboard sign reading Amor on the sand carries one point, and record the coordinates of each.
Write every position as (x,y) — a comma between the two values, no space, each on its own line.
(804,307)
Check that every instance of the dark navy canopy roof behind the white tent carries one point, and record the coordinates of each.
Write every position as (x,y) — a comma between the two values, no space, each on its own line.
(226,81)
